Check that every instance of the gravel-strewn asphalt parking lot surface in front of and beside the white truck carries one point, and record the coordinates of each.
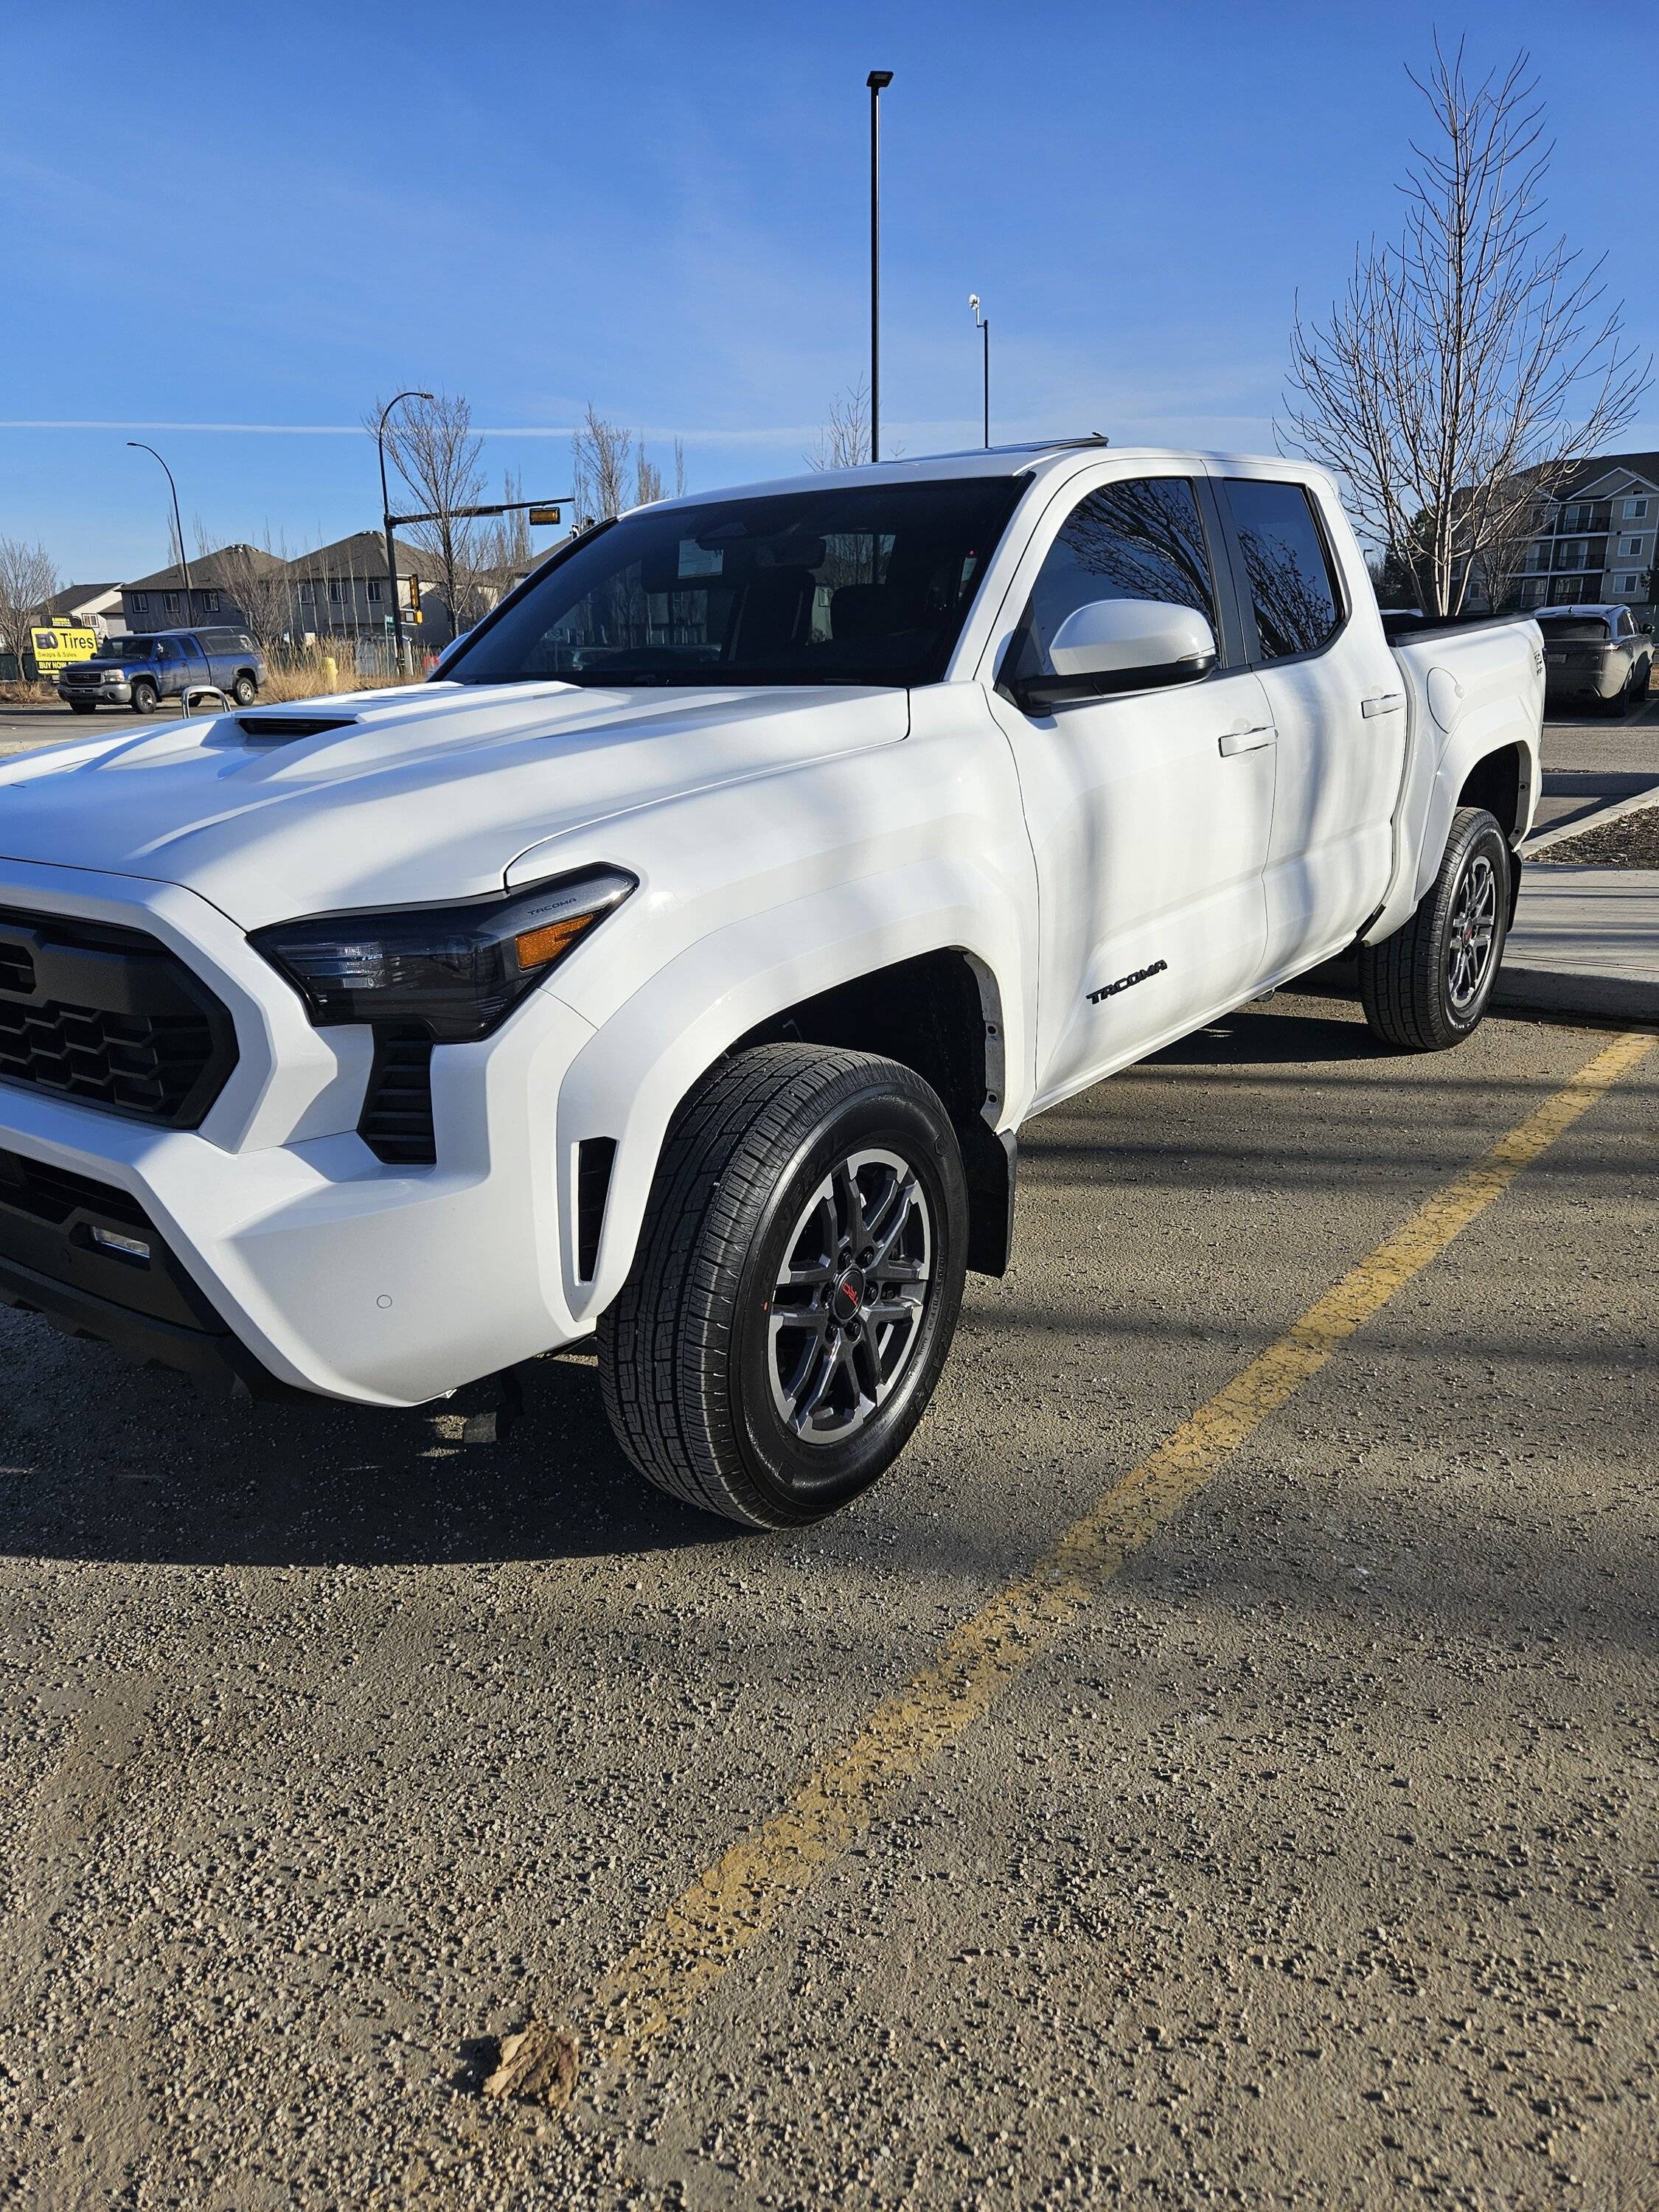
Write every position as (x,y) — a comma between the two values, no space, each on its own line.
(1300,1853)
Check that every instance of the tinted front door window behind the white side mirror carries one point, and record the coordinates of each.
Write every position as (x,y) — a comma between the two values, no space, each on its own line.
(1138,541)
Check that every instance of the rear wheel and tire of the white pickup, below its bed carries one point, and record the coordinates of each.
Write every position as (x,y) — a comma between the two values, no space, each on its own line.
(1419,988)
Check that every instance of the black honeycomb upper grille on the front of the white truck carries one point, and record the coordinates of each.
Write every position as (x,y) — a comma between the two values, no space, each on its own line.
(112,1019)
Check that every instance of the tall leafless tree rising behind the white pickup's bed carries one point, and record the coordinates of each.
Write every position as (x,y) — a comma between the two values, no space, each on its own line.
(1474,362)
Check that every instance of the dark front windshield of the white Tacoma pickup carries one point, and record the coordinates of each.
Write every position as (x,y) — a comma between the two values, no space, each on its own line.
(848,585)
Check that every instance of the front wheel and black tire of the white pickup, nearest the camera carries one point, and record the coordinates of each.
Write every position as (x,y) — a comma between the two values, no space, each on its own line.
(766,1173)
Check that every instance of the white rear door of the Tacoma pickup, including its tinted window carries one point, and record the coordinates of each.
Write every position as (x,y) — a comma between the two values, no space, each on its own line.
(1337,702)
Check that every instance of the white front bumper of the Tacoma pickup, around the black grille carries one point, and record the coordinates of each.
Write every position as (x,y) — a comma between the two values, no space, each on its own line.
(293,1251)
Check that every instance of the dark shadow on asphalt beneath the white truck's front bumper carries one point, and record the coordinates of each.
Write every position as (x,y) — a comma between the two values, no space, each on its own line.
(105,1461)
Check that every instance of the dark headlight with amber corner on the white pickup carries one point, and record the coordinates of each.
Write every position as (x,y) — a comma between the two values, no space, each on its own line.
(452,970)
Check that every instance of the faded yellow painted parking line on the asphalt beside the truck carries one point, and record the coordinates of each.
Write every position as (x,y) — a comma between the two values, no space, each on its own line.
(742,1897)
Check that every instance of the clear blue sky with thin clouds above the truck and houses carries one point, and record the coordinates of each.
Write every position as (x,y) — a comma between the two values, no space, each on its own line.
(271,216)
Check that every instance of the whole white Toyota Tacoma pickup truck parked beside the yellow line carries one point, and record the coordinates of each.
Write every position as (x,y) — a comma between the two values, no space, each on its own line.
(680,963)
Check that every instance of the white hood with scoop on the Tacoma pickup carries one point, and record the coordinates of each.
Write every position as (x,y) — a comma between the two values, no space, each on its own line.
(417,795)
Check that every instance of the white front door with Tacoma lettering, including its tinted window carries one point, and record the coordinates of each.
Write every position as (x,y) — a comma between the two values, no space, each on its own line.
(1151,811)
